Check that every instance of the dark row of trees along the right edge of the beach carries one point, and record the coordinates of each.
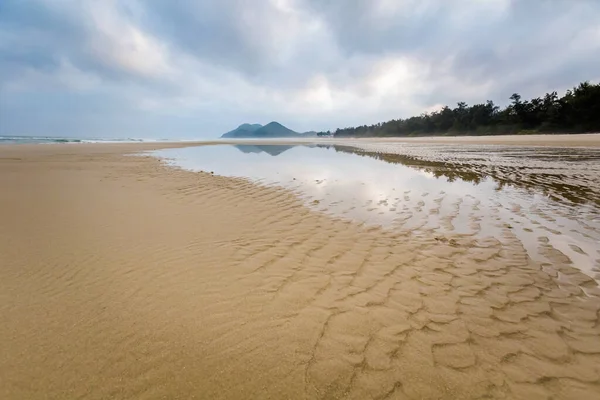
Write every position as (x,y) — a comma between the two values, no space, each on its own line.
(577,111)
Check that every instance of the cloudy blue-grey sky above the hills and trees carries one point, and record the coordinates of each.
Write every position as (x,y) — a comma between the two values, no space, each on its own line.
(196,69)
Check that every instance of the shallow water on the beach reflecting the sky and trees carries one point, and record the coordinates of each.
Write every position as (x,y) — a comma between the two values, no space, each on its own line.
(548,198)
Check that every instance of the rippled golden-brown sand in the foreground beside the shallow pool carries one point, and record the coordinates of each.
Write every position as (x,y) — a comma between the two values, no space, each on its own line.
(123,278)
